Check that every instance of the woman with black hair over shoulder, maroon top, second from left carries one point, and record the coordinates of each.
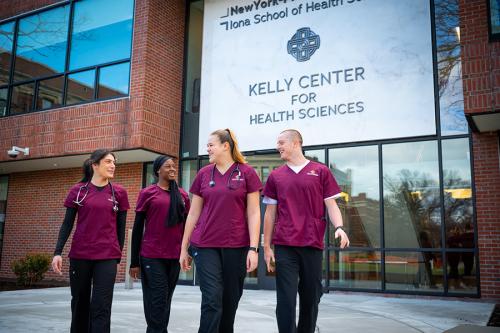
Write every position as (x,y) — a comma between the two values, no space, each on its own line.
(163,206)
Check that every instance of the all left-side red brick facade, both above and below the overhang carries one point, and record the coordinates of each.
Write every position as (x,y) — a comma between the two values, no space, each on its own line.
(148,119)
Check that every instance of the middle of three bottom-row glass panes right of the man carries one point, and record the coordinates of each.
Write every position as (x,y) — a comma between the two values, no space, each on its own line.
(421,271)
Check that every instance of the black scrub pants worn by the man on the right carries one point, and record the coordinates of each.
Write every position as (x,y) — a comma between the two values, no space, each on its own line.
(298,269)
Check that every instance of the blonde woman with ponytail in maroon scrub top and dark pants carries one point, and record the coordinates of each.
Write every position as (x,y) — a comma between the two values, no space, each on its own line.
(223,228)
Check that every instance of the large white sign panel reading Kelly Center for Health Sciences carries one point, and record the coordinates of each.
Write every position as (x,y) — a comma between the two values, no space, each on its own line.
(338,71)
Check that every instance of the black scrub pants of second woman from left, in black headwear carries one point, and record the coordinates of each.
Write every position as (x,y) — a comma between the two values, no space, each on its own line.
(159,278)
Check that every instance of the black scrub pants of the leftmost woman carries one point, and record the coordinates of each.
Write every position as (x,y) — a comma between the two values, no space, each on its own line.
(92,283)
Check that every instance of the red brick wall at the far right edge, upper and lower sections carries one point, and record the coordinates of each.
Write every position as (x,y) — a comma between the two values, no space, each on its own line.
(481,77)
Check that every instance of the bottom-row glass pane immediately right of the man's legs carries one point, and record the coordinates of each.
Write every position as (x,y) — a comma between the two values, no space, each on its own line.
(355,269)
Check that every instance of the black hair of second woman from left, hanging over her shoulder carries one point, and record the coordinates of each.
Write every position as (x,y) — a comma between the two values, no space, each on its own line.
(177,210)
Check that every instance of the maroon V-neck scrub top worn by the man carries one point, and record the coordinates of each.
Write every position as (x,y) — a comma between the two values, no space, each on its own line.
(300,217)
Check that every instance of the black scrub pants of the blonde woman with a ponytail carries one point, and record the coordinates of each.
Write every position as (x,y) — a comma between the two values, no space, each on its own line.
(221,273)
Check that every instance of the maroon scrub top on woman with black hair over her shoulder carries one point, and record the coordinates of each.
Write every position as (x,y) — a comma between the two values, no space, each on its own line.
(160,242)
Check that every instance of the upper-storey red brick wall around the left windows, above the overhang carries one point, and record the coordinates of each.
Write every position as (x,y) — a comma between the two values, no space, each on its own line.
(149,118)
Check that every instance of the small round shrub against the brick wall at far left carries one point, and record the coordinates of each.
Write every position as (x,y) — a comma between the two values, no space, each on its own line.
(31,268)
